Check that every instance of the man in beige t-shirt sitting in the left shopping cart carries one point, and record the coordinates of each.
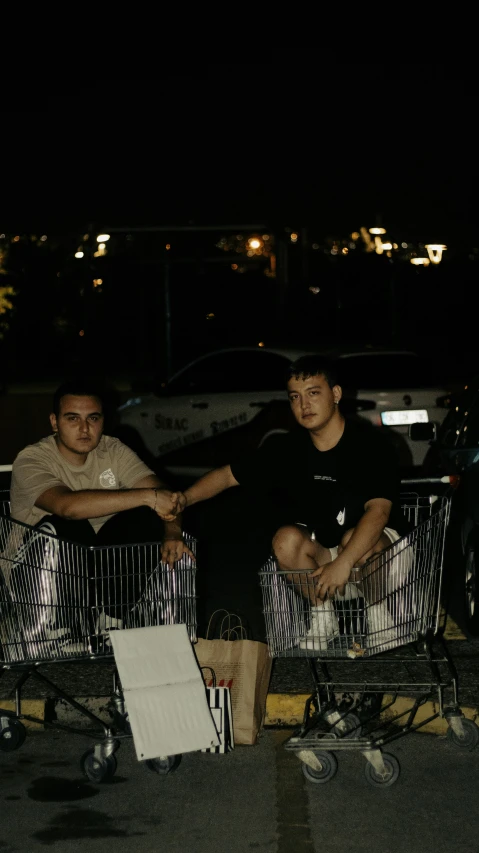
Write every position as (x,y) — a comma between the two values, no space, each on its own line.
(92,489)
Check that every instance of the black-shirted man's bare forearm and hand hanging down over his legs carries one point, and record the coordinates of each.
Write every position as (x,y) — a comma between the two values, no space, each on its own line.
(365,537)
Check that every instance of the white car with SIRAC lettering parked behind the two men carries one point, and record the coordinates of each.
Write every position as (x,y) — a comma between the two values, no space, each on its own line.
(195,414)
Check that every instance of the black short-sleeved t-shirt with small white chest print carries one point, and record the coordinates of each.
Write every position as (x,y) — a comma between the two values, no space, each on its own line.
(326,490)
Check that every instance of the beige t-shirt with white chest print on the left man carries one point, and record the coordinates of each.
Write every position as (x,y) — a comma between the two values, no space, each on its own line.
(41,466)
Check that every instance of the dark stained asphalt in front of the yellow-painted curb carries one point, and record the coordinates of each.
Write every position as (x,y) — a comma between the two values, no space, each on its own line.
(254,798)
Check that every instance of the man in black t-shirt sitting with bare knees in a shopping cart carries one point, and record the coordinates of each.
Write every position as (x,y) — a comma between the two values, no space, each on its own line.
(338,483)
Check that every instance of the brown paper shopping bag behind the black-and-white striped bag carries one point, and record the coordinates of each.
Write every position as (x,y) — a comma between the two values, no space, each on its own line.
(245,667)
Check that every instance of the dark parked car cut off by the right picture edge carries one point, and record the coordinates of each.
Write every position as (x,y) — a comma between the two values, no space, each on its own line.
(454,451)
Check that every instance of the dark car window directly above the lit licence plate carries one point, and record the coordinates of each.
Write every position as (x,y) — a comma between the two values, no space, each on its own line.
(387,371)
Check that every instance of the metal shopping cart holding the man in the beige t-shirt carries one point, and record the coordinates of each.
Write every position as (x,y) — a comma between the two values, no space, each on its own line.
(60,600)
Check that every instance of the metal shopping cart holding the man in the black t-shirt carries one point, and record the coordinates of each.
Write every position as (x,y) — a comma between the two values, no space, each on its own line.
(382,640)
